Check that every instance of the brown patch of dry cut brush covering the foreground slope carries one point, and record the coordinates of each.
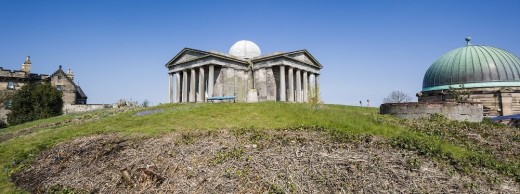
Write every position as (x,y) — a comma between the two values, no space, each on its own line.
(245,161)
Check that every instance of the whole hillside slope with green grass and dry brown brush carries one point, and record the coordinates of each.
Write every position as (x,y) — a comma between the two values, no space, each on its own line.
(278,147)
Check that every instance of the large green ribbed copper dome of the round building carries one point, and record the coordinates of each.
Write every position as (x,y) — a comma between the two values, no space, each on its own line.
(473,66)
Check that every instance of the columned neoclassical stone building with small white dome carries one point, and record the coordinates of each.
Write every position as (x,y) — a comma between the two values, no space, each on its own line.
(196,75)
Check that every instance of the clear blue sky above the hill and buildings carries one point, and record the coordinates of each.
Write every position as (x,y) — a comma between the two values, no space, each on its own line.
(118,48)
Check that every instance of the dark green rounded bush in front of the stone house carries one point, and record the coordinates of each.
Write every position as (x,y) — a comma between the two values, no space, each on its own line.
(34,102)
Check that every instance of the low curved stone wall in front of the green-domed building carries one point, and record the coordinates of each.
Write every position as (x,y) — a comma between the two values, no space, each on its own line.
(472,112)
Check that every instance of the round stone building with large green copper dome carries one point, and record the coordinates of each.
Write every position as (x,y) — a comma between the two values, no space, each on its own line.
(490,75)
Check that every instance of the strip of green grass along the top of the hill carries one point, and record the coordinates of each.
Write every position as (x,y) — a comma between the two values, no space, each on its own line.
(342,122)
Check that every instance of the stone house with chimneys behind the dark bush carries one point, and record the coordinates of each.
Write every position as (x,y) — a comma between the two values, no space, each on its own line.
(15,79)
